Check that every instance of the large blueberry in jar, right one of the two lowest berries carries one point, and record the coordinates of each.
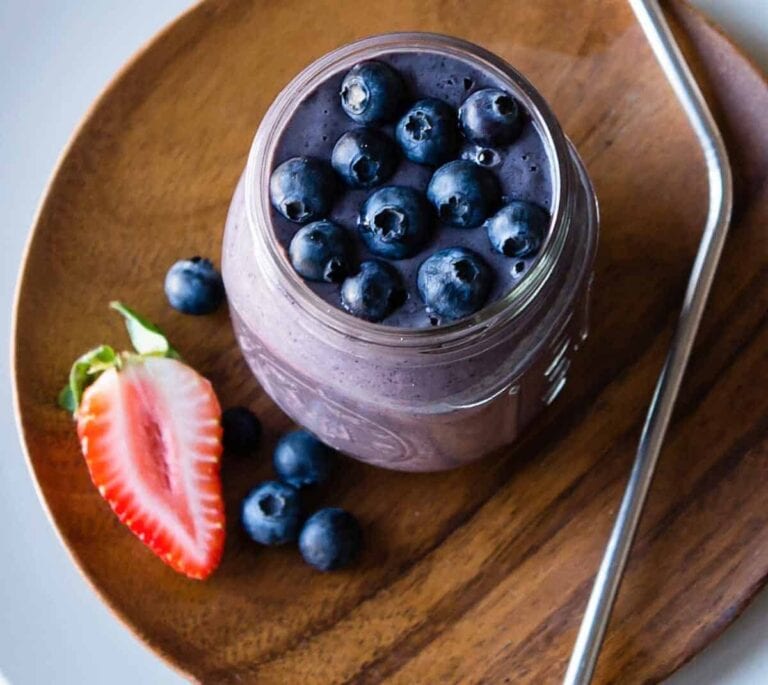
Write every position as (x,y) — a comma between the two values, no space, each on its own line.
(454,282)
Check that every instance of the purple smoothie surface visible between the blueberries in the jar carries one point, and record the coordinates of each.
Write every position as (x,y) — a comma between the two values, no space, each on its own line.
(523,170)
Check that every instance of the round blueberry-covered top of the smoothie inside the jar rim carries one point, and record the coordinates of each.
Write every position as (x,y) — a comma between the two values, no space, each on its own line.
(401,156)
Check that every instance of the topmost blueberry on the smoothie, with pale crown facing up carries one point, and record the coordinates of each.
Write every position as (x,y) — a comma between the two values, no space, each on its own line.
(372,92)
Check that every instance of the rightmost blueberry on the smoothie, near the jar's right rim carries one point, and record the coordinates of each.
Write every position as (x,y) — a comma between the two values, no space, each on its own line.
(517,229)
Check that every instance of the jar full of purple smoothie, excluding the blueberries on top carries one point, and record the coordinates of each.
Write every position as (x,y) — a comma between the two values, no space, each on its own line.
(411,395)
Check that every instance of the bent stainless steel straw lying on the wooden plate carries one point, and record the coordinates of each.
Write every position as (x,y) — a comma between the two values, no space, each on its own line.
(592,630)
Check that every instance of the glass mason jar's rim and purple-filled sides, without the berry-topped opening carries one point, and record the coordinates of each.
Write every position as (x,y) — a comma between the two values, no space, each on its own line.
(401,398)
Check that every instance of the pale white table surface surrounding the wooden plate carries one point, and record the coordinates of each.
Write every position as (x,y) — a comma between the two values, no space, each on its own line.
(55,58)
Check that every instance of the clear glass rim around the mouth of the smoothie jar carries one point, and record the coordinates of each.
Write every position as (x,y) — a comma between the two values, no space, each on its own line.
(261,162)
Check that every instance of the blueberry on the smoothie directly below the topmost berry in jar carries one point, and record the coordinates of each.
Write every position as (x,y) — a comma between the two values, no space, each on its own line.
(364,157)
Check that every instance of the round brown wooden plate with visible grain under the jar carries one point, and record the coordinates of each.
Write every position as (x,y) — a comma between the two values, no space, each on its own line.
(481,574)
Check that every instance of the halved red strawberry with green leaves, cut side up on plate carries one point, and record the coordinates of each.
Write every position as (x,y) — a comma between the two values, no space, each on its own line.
(150,431)
